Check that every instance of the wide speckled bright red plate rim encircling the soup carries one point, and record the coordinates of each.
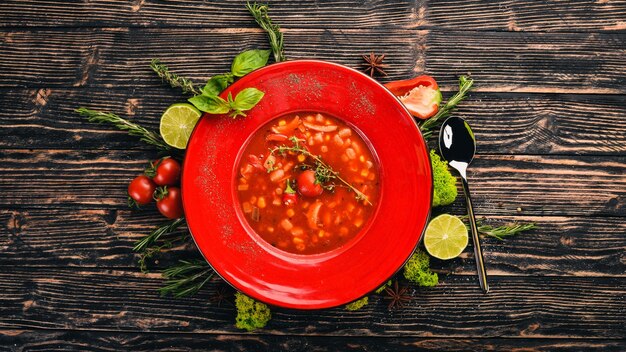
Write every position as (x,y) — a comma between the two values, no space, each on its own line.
(325,280)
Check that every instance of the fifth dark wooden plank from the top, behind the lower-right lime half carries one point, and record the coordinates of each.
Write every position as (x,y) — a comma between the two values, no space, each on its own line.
(48,238)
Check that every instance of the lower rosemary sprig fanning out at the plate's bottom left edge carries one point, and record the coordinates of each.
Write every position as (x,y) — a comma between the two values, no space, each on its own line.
(186,278)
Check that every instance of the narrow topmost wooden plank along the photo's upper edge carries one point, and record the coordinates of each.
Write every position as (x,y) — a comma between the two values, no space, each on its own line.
(563,15)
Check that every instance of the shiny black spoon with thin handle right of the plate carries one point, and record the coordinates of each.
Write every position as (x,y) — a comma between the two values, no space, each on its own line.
(458,146)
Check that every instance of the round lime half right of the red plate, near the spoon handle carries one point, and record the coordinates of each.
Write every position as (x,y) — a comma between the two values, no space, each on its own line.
(445,237)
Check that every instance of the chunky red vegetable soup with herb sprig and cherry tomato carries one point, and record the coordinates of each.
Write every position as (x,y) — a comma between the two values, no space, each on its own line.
(307,183)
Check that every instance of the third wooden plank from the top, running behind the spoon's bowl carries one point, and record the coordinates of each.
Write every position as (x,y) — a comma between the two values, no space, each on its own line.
(503,123)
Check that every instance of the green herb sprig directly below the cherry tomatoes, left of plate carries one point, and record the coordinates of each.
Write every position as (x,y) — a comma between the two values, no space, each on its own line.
(164,236)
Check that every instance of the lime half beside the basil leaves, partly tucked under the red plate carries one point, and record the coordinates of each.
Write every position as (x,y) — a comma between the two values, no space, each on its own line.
(177,123)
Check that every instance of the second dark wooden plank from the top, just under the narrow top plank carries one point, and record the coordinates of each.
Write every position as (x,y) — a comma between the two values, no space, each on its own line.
(500,61)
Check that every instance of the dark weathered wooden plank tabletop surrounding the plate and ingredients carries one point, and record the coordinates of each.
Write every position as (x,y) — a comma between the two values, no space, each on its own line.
(548,110)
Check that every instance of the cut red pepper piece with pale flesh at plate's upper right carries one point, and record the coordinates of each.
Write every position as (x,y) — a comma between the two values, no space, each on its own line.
(420,95)
